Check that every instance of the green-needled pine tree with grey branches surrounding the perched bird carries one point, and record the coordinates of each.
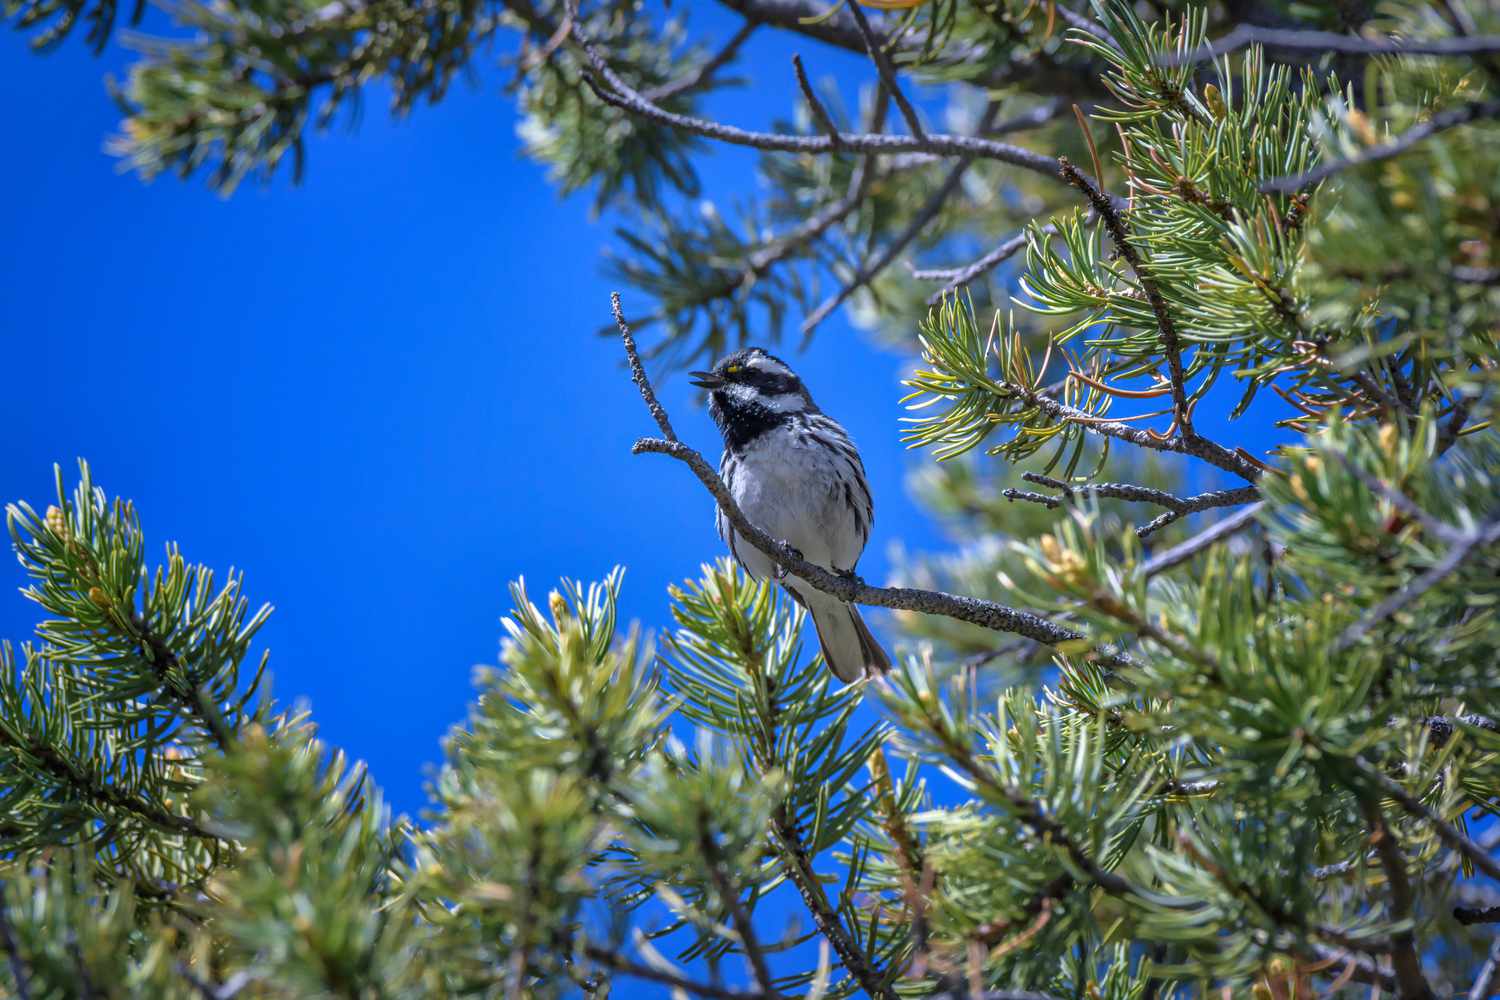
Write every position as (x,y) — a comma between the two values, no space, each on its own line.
(1142,744)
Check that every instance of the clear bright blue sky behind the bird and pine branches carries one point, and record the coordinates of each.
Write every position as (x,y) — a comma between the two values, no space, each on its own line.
(379,394)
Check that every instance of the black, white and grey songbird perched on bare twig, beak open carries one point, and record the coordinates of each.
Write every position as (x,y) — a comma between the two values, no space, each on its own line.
(796,475)
